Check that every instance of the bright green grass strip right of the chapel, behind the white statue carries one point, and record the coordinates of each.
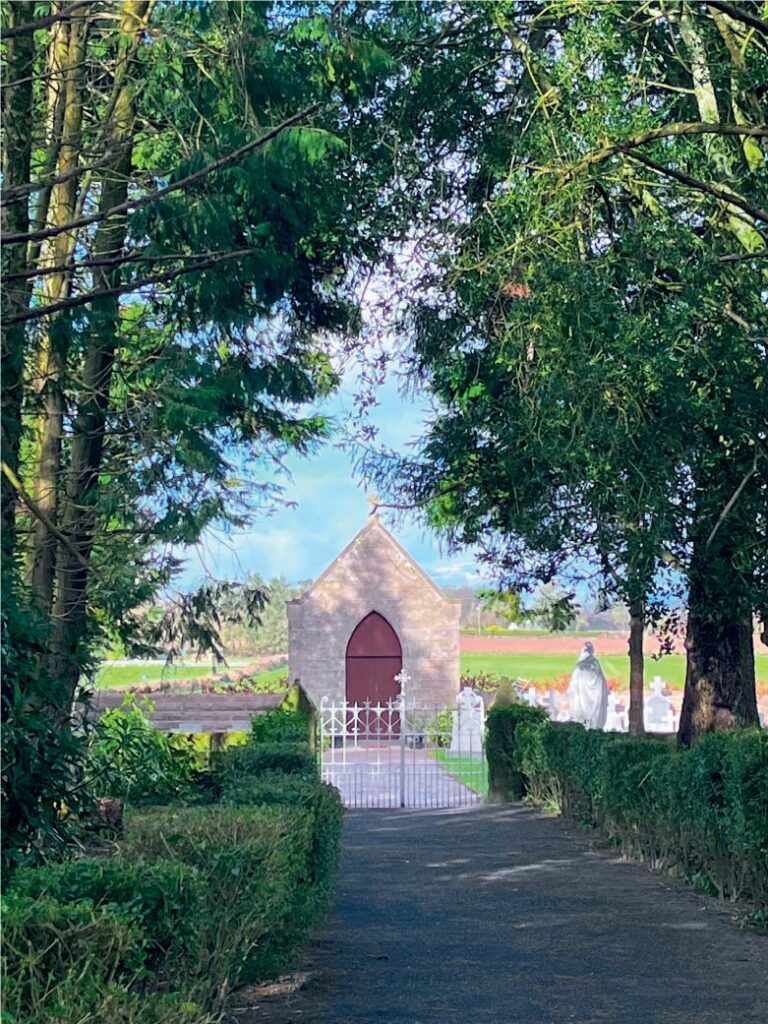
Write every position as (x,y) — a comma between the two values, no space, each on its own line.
(543,668)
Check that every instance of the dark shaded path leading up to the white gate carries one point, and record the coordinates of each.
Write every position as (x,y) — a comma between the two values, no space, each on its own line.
(497,916)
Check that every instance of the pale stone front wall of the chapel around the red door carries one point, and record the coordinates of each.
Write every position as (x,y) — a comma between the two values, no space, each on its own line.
(375,576)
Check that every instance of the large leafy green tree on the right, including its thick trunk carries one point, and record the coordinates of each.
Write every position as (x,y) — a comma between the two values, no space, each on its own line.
(575,323)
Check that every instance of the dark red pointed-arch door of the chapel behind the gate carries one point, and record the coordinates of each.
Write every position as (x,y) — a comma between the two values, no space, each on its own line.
(374,659)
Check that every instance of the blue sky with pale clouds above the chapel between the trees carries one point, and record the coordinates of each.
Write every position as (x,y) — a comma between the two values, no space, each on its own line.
(298,543)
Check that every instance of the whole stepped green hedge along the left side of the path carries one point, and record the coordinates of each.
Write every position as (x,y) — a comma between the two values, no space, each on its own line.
(197,902)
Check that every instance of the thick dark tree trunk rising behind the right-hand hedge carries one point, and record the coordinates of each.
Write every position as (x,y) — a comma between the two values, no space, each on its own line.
(720,692)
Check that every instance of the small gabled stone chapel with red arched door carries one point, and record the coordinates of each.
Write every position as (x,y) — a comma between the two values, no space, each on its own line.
(372,614)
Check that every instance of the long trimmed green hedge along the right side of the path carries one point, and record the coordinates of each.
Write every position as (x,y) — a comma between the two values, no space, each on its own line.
(701,813)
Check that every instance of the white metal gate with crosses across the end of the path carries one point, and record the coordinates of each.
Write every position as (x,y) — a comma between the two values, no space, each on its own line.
(403,754)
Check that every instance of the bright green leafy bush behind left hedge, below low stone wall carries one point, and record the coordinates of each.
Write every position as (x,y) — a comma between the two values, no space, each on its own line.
(129,758)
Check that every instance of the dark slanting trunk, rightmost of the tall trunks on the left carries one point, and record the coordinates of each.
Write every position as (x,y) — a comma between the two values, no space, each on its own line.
(79,513)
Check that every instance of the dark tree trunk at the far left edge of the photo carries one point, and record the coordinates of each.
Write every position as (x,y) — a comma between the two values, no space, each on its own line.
(17,118)
